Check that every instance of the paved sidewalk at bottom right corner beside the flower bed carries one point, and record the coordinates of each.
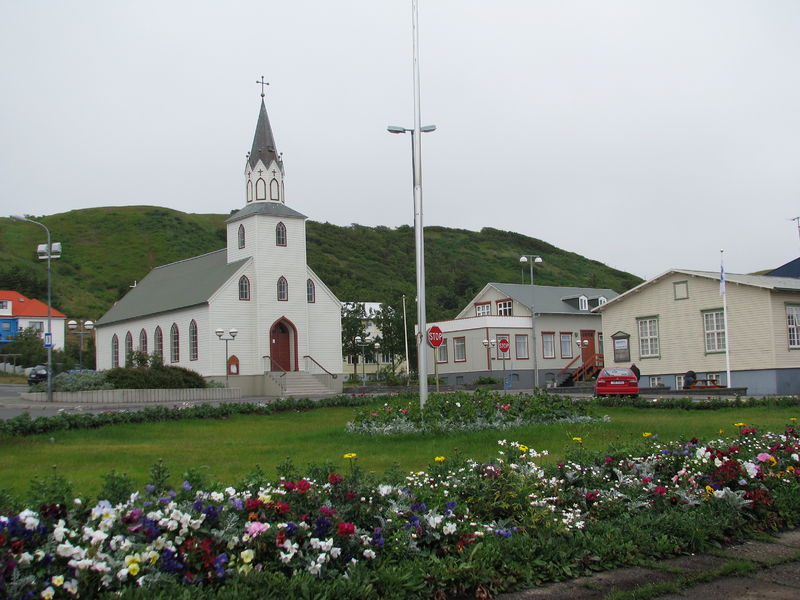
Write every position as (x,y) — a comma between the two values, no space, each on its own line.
(753,570)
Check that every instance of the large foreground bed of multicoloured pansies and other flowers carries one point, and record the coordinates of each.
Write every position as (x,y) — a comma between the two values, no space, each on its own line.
(461,527)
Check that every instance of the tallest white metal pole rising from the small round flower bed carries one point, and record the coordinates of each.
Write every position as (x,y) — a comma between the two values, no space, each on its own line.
(416,139)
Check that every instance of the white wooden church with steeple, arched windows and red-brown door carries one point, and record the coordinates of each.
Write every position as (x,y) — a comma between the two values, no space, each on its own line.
(287,322)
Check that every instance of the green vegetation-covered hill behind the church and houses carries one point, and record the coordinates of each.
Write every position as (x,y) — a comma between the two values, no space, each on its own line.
(106,249)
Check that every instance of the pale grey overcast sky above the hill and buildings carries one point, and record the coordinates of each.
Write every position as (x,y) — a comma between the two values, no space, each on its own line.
(646,135)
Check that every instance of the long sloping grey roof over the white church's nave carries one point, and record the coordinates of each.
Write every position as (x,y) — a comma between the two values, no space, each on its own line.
(177,285)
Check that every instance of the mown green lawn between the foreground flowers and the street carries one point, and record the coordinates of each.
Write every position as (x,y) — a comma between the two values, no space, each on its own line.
(229,448)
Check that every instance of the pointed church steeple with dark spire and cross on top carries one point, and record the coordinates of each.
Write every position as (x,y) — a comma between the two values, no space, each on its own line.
(264,167)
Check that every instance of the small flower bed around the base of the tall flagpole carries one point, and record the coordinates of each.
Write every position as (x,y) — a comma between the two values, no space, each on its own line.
(462,411)
